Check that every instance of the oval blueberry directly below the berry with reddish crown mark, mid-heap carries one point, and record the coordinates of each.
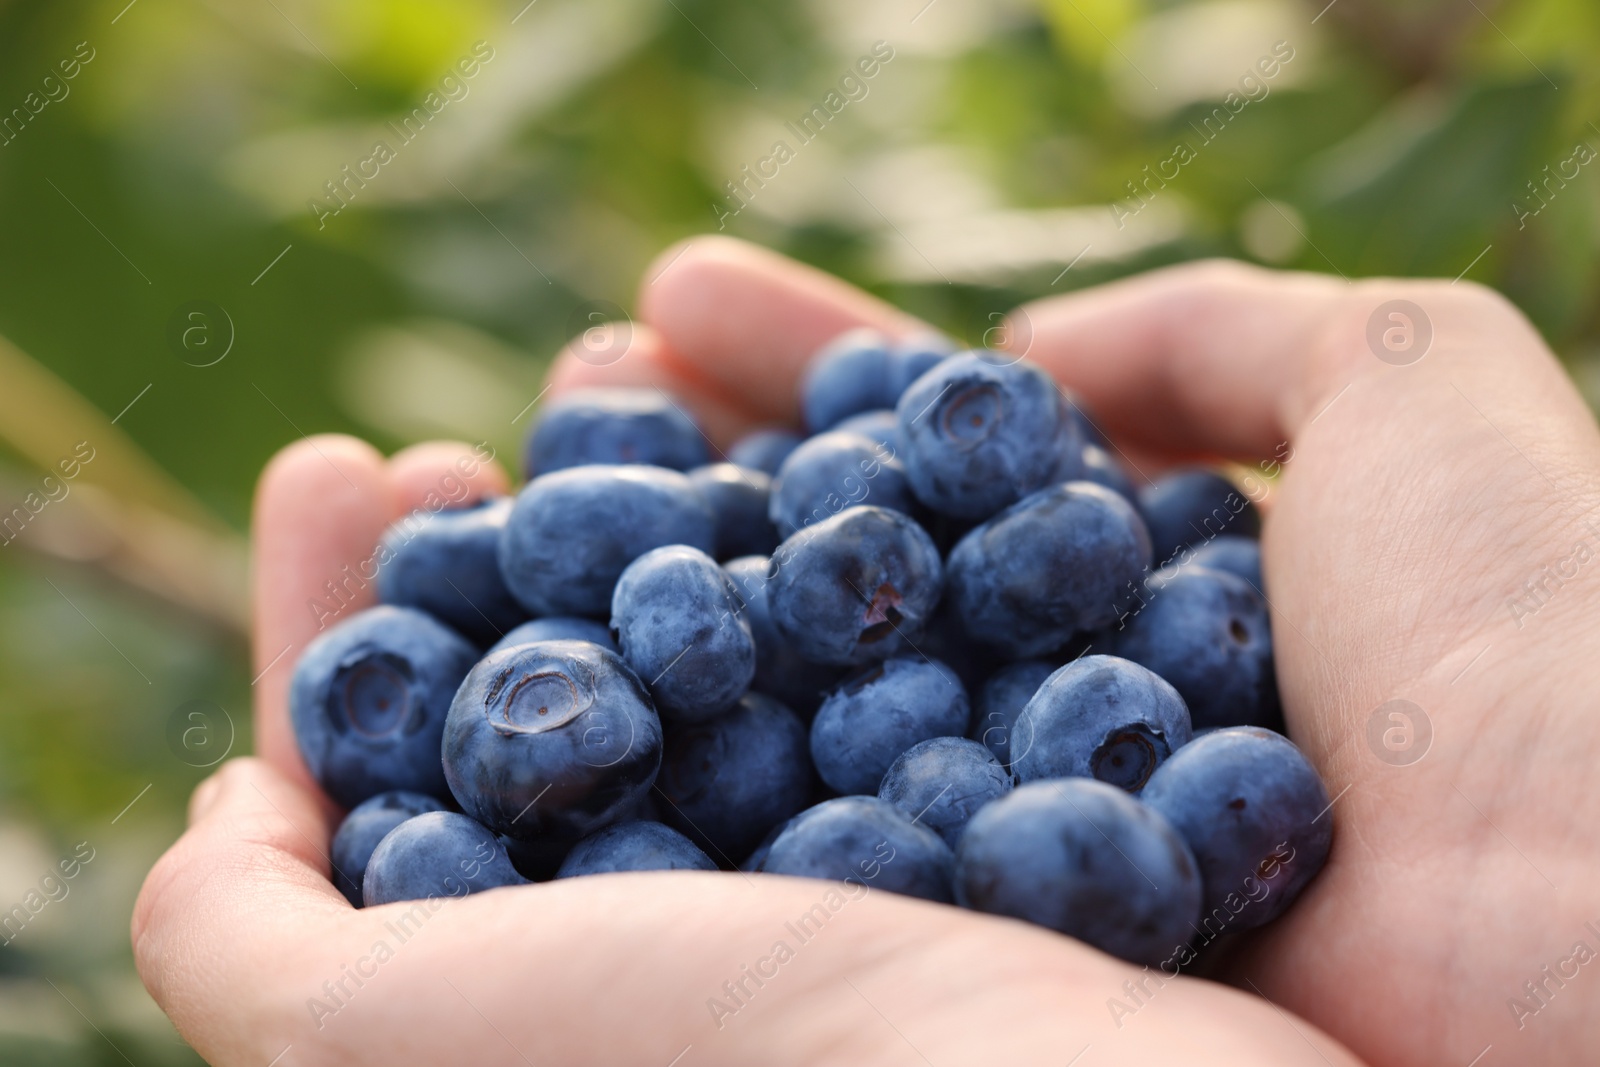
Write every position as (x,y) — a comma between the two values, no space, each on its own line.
(881,713)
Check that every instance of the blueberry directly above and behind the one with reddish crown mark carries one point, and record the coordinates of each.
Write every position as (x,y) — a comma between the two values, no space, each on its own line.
(833,473)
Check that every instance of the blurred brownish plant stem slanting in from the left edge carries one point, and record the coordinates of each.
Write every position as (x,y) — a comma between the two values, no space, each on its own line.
(132,521)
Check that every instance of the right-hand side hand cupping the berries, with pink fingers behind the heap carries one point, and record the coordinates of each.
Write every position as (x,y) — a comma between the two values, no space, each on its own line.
(1428,543)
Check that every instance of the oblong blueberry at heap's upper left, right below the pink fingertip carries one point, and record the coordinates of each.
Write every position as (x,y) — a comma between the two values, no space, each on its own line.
(614,426)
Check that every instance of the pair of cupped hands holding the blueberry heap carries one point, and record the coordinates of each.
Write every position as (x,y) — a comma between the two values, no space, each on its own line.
(1418,503)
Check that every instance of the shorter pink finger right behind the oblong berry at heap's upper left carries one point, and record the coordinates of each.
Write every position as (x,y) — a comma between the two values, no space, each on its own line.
(644,361)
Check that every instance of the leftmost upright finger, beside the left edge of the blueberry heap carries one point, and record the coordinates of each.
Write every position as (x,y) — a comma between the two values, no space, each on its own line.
(321,508)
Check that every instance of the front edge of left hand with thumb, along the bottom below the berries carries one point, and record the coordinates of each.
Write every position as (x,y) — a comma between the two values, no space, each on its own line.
(246,945)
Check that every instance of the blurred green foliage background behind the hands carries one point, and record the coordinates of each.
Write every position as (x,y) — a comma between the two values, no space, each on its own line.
(180,162)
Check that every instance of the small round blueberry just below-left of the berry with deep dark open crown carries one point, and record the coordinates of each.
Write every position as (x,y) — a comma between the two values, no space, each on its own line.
(943,783)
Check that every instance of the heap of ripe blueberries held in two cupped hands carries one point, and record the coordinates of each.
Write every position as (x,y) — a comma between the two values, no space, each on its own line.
(942,647)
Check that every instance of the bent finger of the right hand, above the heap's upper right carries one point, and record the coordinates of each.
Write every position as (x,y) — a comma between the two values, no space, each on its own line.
(1212,358)
